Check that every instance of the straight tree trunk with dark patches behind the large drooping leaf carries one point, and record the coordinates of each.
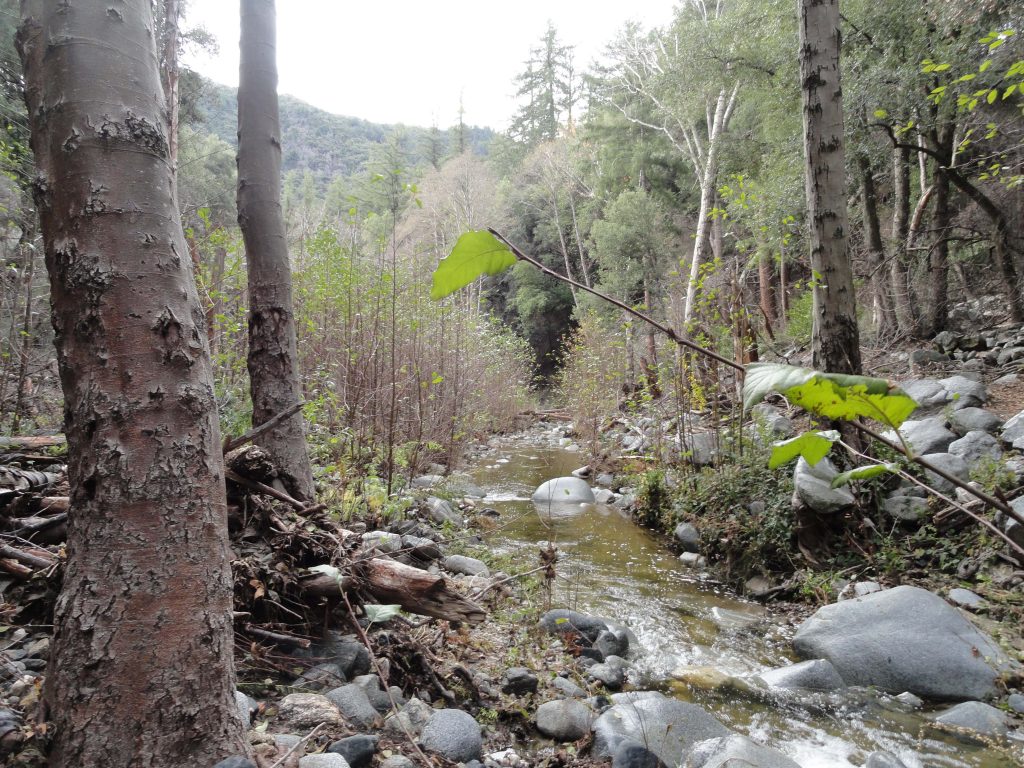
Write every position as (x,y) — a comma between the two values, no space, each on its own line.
(836,344)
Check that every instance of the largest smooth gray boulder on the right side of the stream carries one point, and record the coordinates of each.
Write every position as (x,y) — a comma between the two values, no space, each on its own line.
(905,639)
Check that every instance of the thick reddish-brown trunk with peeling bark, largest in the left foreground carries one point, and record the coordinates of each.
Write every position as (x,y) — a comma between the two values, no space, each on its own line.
(142,670)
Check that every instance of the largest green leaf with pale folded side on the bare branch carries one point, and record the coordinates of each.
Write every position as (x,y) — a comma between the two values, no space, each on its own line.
(830,396)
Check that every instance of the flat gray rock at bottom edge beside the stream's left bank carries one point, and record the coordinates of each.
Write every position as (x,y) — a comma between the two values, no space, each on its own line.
(666,727)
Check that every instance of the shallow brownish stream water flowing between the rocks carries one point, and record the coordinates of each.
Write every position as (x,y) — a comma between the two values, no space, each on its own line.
(612,568)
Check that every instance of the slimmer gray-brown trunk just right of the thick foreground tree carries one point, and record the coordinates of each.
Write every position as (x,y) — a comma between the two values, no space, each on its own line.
(273,359)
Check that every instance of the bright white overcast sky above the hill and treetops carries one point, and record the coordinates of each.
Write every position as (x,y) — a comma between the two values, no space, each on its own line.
(393,62)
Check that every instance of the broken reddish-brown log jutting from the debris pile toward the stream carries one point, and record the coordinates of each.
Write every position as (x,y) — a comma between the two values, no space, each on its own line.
(393,582)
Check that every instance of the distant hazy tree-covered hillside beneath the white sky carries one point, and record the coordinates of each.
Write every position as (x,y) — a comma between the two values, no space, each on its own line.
(331,146)
